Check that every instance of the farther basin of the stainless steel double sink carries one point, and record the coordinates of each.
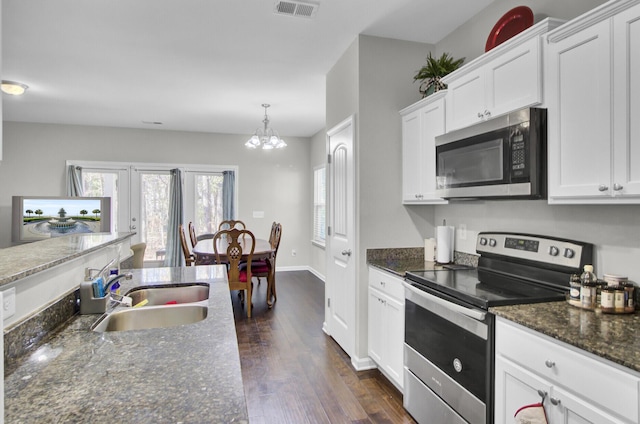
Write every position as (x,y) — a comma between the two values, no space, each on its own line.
(163,295)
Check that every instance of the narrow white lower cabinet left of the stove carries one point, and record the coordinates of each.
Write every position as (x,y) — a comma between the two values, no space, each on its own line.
(386,324)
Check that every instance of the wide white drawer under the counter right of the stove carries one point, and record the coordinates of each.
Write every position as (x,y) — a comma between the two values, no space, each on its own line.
(601,383)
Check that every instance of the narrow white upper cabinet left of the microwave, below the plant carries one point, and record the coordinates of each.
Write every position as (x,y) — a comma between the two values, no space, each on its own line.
(421,123)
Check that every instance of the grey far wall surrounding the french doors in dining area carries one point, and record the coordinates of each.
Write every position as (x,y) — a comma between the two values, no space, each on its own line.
(276,182)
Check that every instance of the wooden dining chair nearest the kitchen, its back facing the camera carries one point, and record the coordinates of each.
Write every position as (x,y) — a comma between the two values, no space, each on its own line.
(238,246)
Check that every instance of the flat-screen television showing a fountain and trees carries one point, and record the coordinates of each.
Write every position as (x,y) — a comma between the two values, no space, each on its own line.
(41,217)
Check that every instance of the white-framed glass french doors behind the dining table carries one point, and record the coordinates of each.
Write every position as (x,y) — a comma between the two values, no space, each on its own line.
(140,198)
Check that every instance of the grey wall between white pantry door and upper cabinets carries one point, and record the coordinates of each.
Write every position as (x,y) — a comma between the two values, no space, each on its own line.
(374,80)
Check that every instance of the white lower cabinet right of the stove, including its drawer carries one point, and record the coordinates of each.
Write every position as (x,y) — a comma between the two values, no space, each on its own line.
(576,387)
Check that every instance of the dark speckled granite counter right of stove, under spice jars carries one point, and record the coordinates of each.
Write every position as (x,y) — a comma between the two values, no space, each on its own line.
(614,337)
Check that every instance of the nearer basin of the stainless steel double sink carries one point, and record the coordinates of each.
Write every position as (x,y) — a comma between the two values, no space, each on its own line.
(151,317)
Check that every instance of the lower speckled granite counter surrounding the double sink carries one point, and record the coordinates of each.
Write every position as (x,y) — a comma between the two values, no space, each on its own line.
(184,374)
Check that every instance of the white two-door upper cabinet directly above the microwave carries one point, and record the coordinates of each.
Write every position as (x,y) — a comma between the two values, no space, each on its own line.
(506,78)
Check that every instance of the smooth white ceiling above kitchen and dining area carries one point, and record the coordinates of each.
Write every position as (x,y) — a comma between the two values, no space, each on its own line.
(195,65)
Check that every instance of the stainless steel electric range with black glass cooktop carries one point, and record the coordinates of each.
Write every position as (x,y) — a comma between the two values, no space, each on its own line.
(449,331)
